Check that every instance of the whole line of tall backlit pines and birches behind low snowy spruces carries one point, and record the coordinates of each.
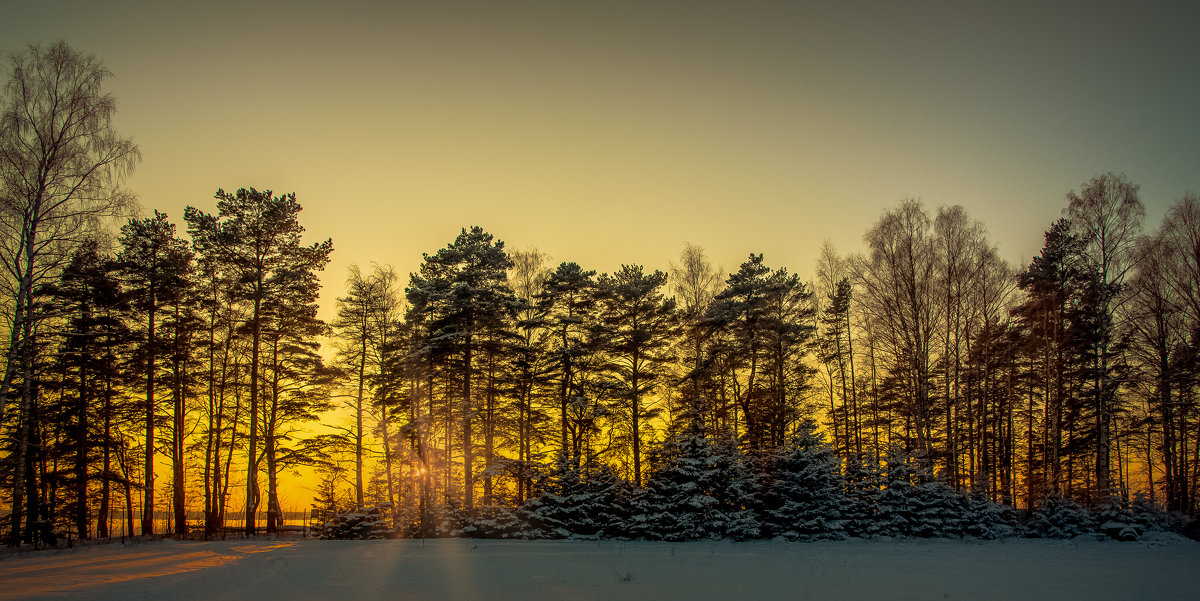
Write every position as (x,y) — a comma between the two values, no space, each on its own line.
(151,370)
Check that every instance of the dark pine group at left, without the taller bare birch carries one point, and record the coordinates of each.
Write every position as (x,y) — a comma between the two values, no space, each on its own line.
(190,354)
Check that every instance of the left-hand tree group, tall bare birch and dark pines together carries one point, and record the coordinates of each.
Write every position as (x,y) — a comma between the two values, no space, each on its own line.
(141,351)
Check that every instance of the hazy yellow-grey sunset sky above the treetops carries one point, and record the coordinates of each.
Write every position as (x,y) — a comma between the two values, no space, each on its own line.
(614,133)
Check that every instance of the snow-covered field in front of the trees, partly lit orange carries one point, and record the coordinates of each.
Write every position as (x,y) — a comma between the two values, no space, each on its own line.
(457,569)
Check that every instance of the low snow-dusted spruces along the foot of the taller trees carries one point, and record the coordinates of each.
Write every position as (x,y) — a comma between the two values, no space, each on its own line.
(703,489)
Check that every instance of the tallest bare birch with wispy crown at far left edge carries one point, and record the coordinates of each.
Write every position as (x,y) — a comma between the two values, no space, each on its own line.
(62,173)
